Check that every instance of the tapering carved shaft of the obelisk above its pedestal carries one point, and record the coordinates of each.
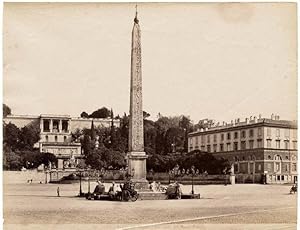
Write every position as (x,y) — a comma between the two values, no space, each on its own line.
(136,133)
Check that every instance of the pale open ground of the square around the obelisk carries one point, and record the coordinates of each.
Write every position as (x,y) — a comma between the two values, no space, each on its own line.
(247,206)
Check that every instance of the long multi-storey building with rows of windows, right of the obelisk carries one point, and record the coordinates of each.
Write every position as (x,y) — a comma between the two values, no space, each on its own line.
(261,150)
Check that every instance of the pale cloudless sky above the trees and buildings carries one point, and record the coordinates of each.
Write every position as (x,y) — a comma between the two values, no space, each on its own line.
(219,61)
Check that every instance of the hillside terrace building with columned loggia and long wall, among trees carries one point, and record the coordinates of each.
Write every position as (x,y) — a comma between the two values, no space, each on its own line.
(56,134)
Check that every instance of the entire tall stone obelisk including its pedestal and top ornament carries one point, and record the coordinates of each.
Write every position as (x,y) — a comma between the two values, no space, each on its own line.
(136,155)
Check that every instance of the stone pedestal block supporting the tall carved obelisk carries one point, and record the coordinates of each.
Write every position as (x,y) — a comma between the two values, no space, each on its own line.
(137,170)
